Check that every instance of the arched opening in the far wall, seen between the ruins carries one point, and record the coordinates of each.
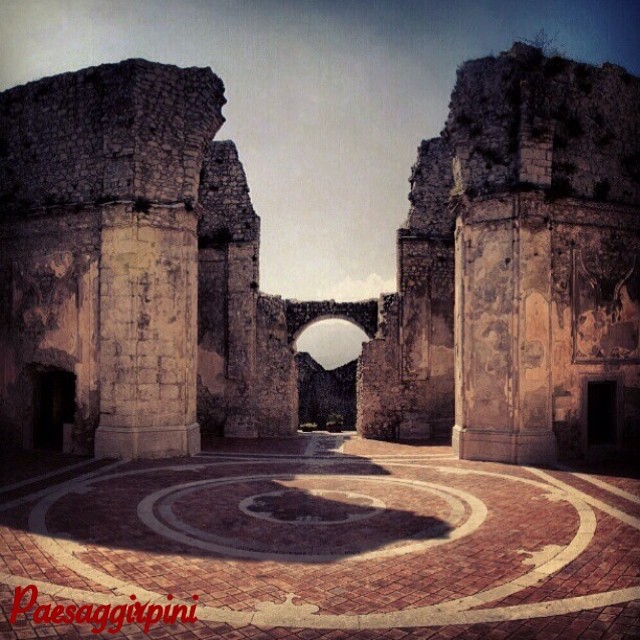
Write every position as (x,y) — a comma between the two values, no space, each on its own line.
(327,359)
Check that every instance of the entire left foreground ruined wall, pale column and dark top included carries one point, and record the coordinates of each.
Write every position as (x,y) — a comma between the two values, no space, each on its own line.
(99,172)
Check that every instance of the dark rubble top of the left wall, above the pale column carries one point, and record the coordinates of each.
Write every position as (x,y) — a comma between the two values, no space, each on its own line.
(125,131)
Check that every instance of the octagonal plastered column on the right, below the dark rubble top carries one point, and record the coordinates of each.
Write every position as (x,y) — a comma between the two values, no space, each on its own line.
(503,368)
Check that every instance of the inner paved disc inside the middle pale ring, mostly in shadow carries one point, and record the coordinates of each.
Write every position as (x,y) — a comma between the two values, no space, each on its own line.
(343,530)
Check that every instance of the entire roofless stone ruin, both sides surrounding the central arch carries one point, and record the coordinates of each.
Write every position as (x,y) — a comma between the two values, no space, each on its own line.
(131,316)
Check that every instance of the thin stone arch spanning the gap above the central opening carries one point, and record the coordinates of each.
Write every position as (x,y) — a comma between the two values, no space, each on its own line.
(301,315)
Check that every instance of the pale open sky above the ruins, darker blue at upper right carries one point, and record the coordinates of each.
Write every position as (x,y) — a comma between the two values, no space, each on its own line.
(328,100)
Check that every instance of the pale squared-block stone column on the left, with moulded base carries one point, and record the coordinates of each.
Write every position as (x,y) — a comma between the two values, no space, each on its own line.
(148,332)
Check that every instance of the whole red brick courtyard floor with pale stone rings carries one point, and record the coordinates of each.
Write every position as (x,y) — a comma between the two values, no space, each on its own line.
(323,536)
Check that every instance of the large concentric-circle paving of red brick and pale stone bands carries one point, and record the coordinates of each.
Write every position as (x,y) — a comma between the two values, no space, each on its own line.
(262,540)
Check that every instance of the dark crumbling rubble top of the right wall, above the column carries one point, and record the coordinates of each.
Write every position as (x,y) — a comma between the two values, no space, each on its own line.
(525,120)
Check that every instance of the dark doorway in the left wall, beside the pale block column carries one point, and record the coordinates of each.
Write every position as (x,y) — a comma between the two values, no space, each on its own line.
(54,405)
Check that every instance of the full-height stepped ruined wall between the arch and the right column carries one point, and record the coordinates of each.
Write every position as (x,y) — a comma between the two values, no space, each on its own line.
(405,380)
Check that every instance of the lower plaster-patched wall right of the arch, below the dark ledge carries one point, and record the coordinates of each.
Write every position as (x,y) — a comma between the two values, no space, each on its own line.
(405,376)
